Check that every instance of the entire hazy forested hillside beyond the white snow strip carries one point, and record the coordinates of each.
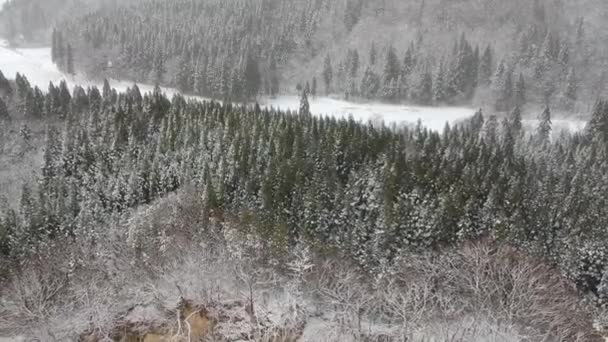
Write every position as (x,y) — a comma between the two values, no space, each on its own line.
(496,53)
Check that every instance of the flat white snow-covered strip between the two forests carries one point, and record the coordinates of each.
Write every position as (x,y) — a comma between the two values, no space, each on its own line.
(36,65)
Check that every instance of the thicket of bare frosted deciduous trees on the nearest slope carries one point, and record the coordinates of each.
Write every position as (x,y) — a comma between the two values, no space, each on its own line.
(478,291)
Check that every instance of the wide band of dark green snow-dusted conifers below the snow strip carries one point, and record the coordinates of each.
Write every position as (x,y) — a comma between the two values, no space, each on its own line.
(371,191)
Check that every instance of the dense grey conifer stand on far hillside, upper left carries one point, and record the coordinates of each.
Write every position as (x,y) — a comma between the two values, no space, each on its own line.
(221,49)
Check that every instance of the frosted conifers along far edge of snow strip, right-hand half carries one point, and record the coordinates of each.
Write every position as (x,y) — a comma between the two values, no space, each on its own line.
(540,72)
